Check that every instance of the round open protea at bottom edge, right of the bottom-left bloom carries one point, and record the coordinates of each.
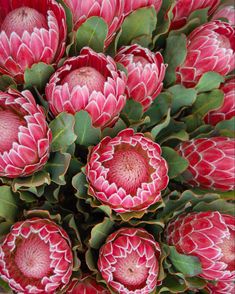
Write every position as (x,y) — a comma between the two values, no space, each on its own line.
(128,261)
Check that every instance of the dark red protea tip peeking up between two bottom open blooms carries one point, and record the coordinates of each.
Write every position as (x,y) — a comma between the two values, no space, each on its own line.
(86,284)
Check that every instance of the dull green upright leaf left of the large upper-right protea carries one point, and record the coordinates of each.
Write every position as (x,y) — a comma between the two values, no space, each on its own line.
(175,54)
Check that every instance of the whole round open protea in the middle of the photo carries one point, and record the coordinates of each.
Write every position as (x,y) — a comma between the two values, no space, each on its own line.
(127,172)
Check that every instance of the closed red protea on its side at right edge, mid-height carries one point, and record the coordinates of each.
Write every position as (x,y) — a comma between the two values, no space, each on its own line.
(211,162)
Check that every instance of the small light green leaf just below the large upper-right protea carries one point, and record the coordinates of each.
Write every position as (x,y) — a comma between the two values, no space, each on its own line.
(209,81)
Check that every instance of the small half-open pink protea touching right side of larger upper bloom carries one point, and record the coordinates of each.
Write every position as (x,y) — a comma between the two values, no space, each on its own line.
(146,71)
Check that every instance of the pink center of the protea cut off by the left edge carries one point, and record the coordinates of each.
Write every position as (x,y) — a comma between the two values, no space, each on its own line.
(9,128)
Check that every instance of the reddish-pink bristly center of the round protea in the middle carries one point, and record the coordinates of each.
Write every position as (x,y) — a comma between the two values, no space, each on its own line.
(128,169)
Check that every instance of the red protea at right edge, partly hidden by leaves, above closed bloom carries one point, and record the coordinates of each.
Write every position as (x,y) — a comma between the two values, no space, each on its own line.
(227,110)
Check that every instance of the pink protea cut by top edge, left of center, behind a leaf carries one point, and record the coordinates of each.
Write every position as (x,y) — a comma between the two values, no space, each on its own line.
(110,10)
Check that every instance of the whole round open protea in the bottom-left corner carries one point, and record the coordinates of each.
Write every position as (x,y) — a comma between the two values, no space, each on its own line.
(36,257)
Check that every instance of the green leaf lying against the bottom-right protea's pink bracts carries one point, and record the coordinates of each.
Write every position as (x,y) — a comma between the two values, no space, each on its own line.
(188,265)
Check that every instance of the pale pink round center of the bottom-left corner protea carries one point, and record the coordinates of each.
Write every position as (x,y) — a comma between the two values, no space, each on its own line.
(33,257)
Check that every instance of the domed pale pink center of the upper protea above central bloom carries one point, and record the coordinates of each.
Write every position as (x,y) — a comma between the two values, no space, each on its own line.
(85,76)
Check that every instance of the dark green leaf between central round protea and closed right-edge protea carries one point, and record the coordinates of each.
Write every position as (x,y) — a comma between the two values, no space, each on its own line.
(177,164)
